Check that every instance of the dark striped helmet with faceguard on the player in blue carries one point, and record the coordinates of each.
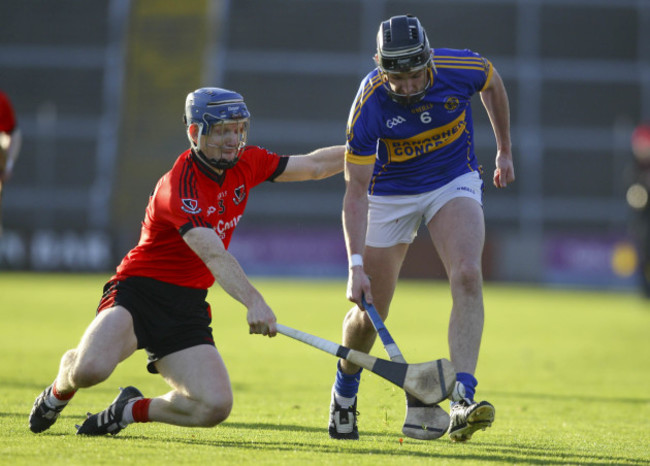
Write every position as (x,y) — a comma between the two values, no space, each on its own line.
(403,47)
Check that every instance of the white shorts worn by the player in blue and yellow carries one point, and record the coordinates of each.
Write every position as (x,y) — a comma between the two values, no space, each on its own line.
(396,219)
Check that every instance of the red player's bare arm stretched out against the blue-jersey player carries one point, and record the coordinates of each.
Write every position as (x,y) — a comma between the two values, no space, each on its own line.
(316,165)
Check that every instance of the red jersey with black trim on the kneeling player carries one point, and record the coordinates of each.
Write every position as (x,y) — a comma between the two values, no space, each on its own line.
(192,195)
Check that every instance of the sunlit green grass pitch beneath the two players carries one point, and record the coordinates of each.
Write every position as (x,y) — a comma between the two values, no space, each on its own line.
(568,372)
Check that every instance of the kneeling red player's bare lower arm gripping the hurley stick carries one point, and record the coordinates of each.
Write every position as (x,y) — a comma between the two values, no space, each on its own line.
(229,274)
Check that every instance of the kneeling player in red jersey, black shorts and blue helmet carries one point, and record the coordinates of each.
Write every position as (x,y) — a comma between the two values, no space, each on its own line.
(156,299)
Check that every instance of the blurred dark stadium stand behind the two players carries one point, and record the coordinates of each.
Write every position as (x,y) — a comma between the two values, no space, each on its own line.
(99,88)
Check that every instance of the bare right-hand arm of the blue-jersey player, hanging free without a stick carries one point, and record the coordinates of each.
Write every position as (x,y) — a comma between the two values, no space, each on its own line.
(495,100)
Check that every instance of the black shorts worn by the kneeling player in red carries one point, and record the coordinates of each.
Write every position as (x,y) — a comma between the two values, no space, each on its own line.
(166,318)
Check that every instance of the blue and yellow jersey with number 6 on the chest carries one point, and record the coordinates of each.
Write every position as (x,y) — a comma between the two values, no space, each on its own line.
(421,147)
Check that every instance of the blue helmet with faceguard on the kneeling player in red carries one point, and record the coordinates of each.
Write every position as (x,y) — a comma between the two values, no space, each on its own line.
(211,109)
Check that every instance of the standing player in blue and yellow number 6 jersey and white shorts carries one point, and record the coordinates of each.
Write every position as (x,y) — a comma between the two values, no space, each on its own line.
(410,158)
